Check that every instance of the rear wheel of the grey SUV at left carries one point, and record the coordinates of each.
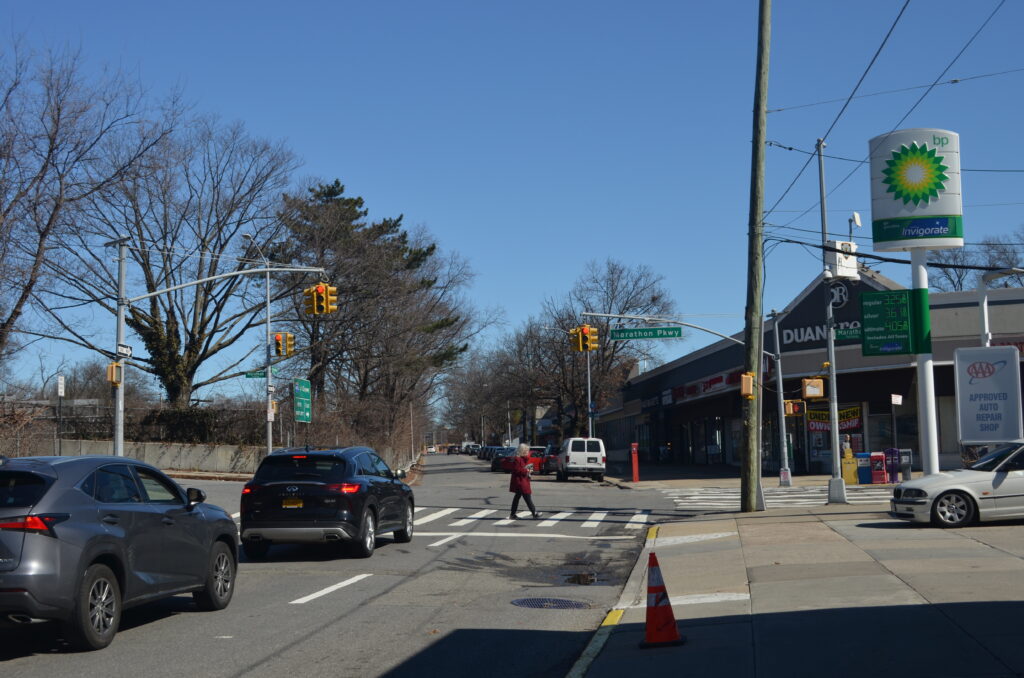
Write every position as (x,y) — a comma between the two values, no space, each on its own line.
(98,610)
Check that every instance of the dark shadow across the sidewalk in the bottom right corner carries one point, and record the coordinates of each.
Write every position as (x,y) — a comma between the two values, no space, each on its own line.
(952,640)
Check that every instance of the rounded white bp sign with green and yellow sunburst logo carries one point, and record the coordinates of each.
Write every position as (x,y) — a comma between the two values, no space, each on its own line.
(916,191)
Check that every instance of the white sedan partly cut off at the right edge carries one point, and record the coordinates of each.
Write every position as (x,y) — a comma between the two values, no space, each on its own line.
(991,489)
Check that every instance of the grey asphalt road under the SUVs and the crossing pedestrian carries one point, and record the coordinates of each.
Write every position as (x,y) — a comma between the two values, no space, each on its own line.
(445,605)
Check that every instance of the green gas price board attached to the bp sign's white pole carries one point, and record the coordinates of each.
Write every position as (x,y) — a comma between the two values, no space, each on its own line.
(895,323)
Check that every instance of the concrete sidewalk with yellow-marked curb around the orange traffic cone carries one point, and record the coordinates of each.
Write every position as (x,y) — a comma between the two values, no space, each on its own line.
(831,591)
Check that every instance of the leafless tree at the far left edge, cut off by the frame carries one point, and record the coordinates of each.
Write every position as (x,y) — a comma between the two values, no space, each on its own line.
(65,139)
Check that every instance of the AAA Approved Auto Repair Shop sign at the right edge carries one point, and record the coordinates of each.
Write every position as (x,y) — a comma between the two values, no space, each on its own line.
(989,395)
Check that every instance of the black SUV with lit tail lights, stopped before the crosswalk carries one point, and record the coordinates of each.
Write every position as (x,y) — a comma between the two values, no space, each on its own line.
(325,496)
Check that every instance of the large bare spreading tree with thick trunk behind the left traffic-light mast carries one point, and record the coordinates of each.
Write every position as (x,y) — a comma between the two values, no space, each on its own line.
(185,213)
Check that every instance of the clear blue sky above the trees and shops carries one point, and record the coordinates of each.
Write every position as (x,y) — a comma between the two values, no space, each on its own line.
(534,137)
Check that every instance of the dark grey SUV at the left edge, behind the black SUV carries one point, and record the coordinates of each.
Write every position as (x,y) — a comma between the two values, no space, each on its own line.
(84,538)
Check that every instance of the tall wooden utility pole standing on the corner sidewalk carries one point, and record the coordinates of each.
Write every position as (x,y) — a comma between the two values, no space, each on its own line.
(755,272)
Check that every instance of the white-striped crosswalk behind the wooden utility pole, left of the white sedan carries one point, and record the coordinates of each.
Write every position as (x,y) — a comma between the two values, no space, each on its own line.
(728,499)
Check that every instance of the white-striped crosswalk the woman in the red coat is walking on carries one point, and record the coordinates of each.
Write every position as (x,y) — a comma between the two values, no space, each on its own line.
(438,517)
